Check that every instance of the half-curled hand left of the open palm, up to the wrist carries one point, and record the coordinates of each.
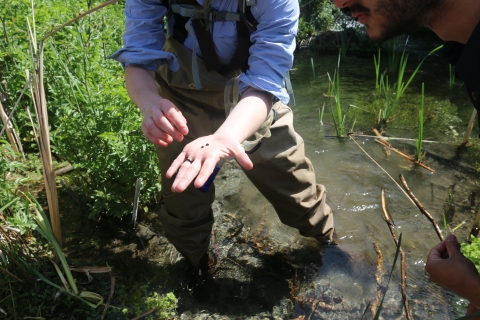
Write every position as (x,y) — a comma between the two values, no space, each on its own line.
(163,122)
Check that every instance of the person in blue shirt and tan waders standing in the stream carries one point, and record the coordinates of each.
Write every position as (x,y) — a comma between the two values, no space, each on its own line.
(216,55)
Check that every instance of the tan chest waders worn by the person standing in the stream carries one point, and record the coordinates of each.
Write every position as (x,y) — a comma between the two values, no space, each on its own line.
(281,172)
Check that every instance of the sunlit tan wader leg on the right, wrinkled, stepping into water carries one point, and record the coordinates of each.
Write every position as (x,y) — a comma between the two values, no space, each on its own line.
(285,176)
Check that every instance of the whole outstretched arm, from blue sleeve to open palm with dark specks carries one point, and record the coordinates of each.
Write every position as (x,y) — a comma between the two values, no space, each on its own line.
(271,56)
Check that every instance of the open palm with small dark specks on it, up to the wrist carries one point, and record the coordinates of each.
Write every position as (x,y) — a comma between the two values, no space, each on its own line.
(198,159)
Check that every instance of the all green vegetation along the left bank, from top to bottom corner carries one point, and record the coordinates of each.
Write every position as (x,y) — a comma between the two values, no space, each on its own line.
(95,128)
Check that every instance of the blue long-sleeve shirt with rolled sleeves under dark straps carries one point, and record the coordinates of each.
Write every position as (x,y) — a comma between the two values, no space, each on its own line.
(271,54)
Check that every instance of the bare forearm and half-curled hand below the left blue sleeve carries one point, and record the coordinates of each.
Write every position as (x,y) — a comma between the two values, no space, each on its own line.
(162,121)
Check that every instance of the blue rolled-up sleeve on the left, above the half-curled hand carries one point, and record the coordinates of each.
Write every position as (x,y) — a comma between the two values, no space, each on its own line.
(144,36)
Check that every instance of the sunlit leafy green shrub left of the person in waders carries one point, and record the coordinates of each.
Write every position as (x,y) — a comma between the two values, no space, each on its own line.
(94,125)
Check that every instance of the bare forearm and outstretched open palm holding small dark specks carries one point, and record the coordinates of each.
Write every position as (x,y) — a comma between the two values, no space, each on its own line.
(206,152)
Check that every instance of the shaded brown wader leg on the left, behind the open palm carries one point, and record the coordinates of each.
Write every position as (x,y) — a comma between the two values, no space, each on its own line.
(187,217)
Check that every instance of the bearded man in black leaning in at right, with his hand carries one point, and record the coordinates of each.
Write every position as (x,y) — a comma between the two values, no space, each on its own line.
(458,24)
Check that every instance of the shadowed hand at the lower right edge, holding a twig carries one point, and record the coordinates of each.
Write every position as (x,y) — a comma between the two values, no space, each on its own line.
(449,268)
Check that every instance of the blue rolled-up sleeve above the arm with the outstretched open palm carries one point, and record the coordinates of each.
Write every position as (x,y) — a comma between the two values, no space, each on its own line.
(271,55)
